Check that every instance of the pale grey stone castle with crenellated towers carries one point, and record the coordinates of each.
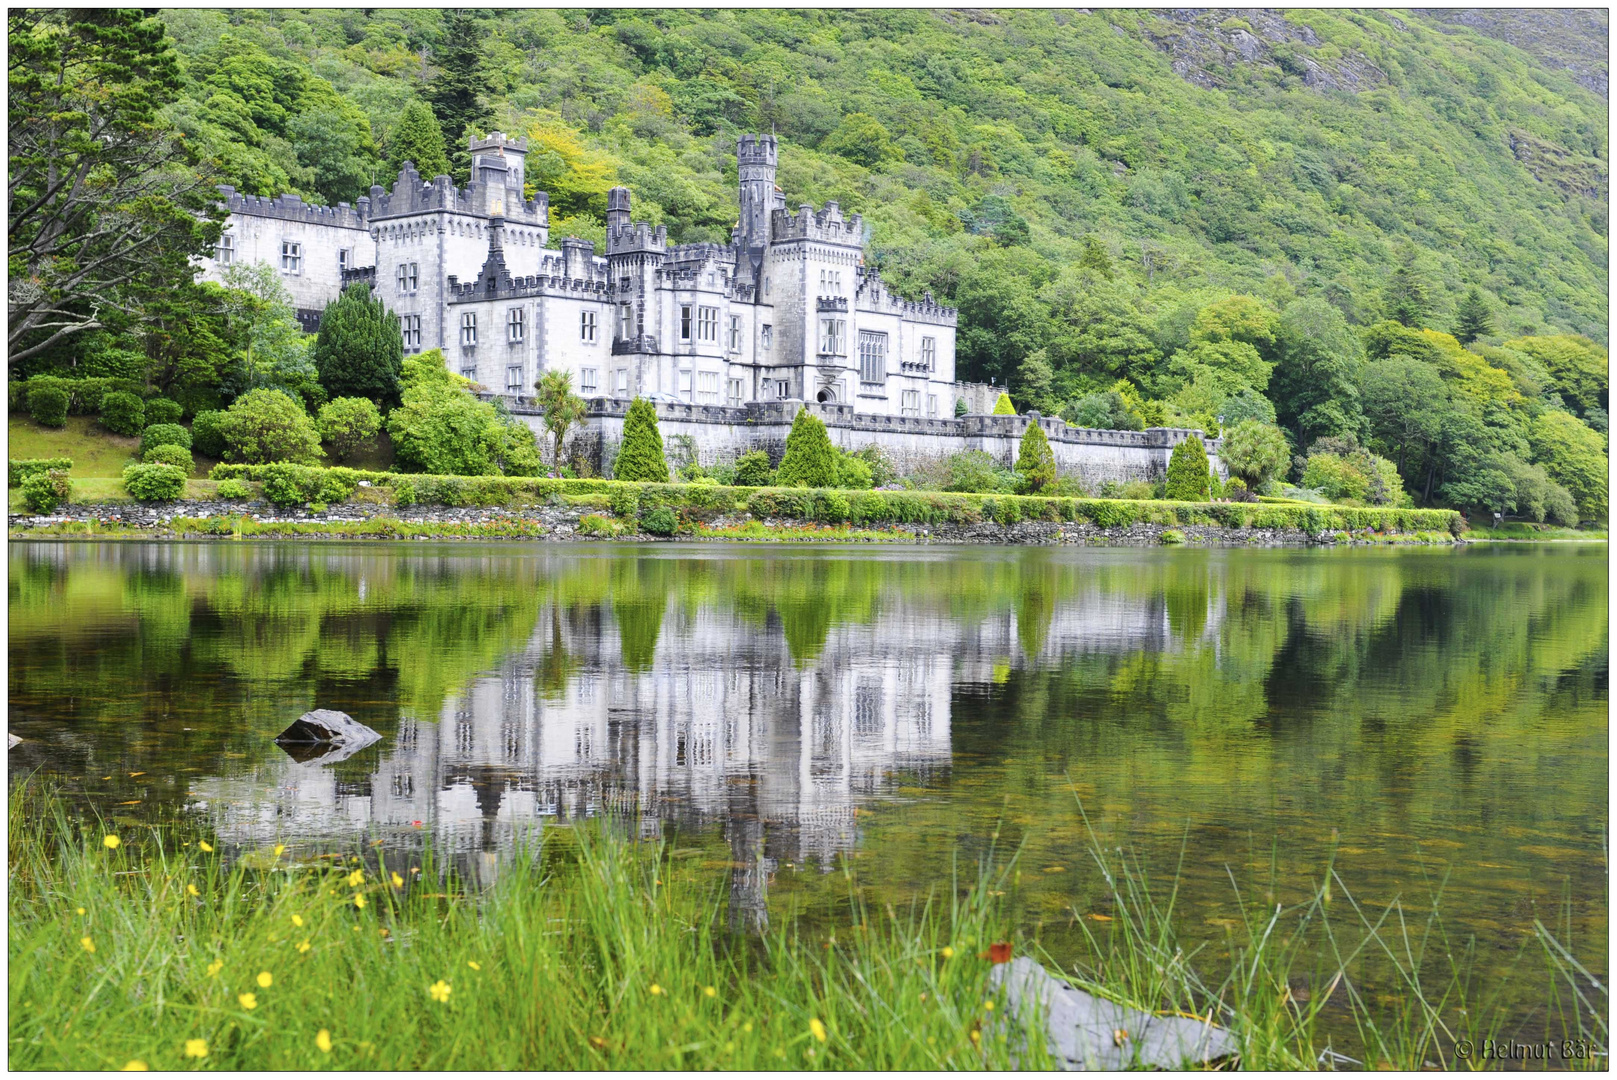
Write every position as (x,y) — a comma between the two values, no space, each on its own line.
(787,311)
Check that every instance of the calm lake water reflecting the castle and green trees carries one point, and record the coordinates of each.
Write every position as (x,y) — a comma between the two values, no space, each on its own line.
(785,712)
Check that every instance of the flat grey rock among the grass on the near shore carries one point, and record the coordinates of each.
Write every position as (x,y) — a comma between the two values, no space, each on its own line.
(1087,1032)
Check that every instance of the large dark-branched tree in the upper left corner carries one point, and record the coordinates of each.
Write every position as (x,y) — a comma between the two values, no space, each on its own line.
(104,206)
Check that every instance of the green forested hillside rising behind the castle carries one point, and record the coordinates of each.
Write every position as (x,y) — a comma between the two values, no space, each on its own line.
(1246,214)
